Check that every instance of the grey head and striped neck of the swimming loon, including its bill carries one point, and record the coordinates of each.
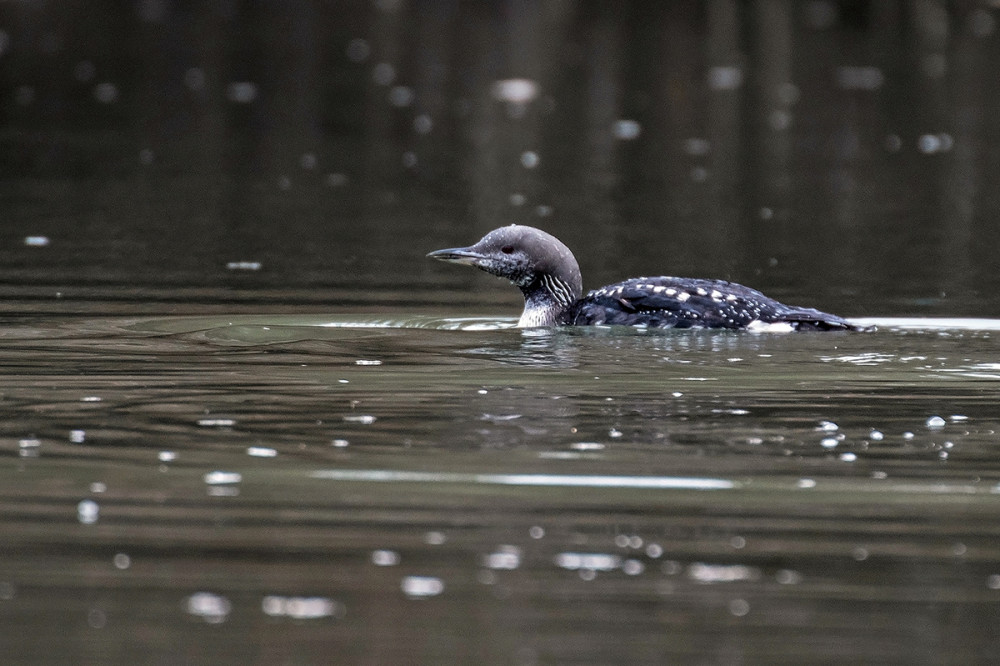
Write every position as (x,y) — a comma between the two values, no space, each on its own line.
(538,263)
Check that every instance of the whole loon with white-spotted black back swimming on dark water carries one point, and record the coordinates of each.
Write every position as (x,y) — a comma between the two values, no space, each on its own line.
(548,275)
